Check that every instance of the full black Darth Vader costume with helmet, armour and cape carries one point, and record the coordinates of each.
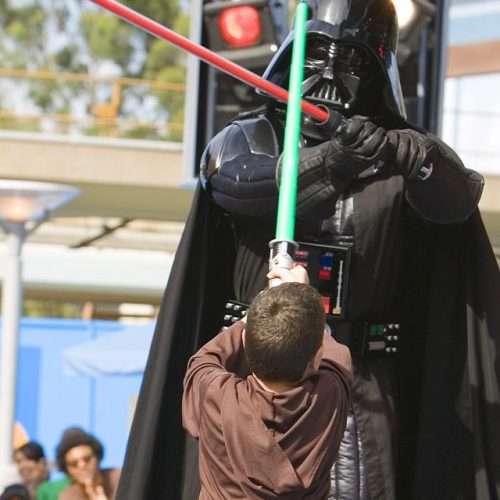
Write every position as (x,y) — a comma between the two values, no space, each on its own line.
(425,421)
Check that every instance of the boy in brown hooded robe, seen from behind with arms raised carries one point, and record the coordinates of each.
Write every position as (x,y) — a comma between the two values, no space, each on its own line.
(268,401)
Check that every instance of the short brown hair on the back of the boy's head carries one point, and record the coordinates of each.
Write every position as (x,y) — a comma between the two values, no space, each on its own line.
(284,329)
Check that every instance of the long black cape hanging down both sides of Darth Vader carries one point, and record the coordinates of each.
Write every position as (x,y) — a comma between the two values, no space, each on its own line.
(455,452)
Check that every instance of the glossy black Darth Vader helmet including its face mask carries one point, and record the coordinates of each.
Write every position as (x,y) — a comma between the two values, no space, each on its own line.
(350,60)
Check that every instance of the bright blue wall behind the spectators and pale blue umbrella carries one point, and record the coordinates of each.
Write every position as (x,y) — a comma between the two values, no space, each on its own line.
(49,400)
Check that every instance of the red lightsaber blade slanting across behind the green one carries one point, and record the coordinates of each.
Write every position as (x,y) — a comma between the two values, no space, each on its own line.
(208,56)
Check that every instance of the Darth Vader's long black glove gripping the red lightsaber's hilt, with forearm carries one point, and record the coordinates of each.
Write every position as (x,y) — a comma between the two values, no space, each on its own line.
(326,170)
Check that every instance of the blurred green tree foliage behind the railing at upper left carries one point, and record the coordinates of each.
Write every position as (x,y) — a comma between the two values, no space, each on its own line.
(76,36)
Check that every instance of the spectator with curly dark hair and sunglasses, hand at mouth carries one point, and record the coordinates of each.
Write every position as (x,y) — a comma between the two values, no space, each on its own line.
(79,455)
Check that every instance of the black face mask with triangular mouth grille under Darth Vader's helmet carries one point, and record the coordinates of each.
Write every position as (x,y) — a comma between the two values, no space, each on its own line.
(336,74)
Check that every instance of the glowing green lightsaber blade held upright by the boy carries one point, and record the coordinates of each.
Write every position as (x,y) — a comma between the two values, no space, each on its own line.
(285,222)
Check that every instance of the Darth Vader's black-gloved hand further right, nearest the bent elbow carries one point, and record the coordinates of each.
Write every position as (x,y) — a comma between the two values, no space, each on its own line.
(412,152)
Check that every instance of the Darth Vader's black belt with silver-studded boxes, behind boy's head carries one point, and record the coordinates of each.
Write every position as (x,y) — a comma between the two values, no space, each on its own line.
(362,338)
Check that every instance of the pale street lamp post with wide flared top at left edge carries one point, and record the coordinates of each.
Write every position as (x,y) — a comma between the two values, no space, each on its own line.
(24,205)
